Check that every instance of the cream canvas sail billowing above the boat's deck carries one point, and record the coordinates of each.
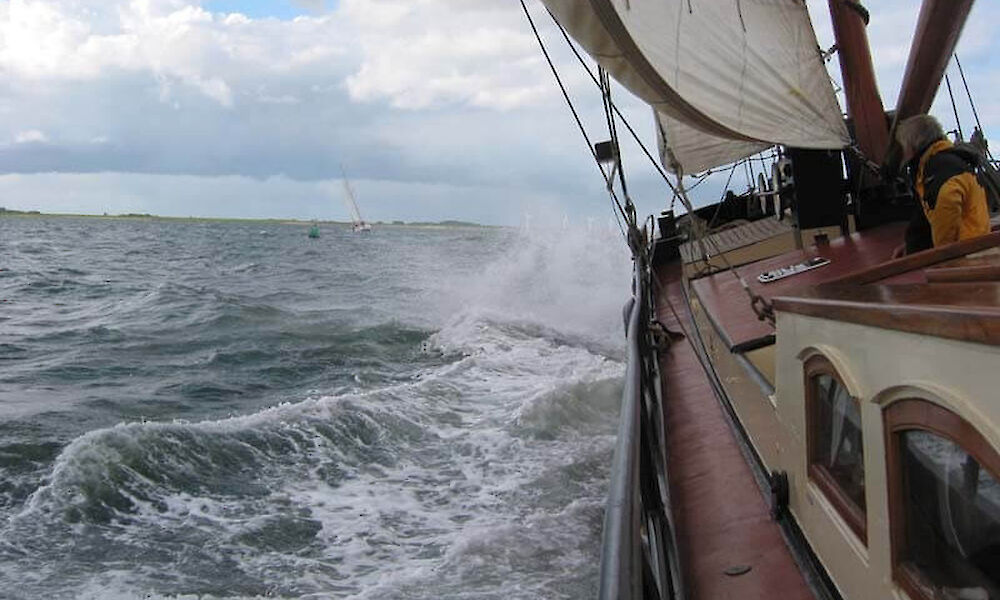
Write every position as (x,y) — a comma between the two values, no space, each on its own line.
(726,78)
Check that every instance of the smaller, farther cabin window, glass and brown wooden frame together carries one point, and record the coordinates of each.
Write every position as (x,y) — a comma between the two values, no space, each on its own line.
(835,450)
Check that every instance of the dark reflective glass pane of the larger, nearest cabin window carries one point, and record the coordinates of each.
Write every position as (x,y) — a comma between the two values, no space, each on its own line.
(952,517)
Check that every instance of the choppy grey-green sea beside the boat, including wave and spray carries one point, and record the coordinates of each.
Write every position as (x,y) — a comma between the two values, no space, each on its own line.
(234,410)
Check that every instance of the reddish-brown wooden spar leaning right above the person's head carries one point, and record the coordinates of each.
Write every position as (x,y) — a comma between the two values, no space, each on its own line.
(938,29)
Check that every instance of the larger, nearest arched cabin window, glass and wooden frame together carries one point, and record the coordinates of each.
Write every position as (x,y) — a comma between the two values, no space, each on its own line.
(944,497)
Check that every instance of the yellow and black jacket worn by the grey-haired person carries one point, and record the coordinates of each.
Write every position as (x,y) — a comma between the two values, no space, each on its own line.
(952,199)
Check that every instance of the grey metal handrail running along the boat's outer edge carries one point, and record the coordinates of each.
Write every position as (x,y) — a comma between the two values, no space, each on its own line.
(638,554)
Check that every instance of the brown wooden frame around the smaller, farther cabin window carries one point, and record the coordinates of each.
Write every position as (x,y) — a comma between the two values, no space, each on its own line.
(854,515)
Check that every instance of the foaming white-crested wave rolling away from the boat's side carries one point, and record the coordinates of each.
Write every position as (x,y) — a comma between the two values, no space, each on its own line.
(332,489)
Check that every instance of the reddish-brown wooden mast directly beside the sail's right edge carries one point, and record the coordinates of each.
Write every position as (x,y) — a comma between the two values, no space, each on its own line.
(864,104)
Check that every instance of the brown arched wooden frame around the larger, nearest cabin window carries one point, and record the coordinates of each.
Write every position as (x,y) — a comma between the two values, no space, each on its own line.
(911,414)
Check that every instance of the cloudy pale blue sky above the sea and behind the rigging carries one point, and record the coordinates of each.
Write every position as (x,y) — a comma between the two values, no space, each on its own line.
(435,109)
